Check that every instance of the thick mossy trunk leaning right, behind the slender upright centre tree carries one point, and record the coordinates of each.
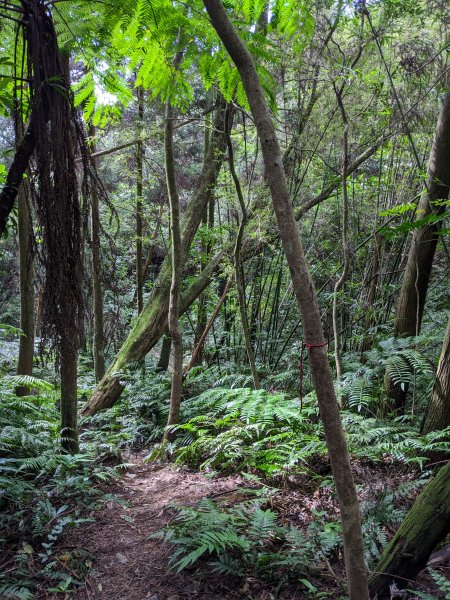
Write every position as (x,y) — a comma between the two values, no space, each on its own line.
(152,321)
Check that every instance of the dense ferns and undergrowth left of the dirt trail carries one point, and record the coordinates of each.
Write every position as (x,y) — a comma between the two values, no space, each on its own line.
(43,492)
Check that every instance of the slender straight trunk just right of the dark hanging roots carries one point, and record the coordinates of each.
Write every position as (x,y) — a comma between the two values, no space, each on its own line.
(98,348)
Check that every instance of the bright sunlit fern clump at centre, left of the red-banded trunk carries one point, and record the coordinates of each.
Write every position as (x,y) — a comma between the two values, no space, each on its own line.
(247,430)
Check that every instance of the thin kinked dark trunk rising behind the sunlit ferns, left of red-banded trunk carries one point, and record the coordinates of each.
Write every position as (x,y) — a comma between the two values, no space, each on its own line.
(240,282)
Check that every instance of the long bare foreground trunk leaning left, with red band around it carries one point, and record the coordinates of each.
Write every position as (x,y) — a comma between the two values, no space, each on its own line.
(305,293)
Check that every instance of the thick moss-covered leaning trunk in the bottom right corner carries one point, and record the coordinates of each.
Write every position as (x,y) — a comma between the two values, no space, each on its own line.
(424,527)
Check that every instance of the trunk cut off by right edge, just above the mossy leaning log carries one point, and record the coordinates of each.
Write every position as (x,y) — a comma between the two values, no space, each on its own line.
(437,414)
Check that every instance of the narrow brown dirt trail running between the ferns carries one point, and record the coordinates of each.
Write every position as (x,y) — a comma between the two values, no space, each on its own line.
(127,563)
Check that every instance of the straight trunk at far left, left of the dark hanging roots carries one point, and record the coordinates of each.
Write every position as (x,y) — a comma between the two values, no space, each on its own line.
(26,276)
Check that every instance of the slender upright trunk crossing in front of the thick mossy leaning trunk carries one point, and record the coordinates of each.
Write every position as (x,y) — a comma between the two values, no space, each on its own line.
(176,253)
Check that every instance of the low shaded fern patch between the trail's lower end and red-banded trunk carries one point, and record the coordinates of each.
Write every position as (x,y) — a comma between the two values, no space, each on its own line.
(247,538)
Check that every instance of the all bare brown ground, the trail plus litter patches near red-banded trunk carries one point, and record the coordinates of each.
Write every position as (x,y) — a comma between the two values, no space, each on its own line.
(125,562)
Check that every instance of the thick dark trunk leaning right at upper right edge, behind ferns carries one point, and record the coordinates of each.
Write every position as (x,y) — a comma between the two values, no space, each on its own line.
(411,302)
